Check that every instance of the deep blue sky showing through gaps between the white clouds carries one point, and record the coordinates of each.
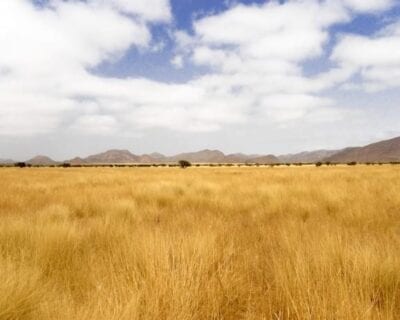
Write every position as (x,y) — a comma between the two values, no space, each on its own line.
(156,65)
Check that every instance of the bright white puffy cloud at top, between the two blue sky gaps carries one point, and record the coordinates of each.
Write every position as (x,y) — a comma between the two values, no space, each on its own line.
(294,31)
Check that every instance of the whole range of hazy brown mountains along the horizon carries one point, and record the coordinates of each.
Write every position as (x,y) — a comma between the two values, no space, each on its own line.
(383,151)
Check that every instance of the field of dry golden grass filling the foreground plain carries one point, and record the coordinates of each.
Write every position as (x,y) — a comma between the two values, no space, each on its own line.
(201,243)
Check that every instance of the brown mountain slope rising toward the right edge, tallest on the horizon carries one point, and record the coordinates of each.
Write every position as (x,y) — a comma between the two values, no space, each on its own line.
(383,151)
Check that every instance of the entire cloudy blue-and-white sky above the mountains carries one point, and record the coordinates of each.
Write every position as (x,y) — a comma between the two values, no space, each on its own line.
(79,77)
